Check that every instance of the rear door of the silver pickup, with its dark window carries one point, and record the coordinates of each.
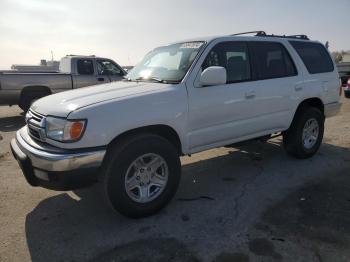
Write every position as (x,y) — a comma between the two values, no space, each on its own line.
(85,73)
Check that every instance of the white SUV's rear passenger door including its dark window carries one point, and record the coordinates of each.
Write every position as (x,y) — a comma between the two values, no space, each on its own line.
(276,78)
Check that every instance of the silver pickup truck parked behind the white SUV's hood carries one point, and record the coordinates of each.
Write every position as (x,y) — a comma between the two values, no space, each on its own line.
(23,88)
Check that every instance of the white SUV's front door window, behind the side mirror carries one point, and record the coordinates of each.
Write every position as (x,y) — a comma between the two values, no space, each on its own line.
(233,56)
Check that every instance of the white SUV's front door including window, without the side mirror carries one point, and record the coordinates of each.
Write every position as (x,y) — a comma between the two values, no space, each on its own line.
(223,112)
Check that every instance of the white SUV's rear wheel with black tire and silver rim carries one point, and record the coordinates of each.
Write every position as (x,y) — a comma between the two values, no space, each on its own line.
(304,137)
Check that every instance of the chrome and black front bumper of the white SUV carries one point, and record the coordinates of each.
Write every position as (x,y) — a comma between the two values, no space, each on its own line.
(55,169)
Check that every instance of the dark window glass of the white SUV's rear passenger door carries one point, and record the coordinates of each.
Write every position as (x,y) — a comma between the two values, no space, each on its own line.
(272,60)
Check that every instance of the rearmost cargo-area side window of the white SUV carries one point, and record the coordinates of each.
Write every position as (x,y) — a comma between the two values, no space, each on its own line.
(315,56)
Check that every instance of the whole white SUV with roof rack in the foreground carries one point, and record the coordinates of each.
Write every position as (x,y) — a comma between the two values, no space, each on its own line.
(180,99)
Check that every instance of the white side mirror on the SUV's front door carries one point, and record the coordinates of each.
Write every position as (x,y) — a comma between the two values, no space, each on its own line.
(213,75)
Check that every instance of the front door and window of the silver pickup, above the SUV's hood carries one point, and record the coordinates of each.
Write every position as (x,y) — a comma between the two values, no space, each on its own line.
(108,70)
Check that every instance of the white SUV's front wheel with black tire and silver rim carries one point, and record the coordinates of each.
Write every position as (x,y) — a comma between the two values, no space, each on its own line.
(141,175)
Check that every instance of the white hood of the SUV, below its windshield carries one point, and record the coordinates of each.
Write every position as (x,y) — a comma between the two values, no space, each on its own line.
(61,104)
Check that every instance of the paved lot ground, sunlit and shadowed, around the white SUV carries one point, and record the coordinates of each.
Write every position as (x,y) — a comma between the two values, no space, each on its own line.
(248,203)
